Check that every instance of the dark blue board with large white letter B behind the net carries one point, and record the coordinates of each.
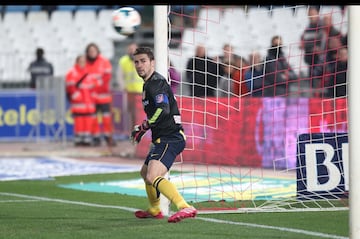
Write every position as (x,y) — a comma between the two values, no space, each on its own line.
(322,166)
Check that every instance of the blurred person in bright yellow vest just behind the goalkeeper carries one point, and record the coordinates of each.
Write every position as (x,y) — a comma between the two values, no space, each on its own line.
(131,84)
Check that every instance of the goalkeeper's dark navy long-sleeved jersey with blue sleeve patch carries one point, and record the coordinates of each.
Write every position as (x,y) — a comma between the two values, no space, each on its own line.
(160,107)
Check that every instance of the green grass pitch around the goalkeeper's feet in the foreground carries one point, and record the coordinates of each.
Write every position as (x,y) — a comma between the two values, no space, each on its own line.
(41,209)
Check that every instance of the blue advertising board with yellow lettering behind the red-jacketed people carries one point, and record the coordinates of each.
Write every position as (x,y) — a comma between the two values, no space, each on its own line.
(20,118)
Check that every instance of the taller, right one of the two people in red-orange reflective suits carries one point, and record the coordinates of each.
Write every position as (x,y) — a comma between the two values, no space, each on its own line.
(100,68)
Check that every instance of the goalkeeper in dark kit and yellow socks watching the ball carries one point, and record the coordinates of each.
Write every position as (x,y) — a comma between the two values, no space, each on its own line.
(168,139)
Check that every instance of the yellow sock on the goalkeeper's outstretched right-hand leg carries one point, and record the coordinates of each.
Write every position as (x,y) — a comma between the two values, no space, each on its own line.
(169,190)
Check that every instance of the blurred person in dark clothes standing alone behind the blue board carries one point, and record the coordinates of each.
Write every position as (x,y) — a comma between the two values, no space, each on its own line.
(40,67)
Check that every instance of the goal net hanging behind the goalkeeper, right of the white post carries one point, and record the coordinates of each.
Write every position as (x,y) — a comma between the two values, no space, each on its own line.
(263,99)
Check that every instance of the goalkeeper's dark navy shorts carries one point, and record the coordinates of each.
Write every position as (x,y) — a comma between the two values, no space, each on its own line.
(165,149)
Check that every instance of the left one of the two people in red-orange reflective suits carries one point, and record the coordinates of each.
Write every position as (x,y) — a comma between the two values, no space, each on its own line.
(80,90)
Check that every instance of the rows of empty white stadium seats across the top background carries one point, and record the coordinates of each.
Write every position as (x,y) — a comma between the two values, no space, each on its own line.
(65,32)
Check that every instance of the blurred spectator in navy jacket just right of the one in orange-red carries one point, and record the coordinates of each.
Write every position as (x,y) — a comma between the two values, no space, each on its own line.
(254,75)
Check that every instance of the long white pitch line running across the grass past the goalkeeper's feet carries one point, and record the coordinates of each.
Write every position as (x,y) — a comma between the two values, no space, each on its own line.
(298,231)
